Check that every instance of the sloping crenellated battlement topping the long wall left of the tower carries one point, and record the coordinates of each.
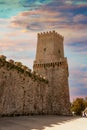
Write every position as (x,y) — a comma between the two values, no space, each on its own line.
(20,68)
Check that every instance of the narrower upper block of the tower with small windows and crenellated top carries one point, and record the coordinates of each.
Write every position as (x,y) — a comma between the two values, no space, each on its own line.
(49,47)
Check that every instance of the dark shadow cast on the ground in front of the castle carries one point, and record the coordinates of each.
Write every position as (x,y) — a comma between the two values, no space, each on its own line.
(33,122)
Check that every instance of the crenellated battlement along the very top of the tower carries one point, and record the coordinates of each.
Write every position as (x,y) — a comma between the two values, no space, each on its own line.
(50,33)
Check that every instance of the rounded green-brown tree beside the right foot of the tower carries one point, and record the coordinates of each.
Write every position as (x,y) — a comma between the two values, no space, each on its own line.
(78,106)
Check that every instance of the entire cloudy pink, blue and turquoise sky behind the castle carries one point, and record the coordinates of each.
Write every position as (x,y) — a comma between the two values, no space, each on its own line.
(21,20)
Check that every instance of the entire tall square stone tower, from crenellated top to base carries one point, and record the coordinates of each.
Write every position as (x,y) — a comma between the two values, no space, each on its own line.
(51,63)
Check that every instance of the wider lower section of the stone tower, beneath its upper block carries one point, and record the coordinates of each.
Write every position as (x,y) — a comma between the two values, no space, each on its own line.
(58,93)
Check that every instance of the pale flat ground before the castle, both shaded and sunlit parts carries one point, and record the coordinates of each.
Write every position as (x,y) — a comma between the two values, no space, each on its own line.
(43,123)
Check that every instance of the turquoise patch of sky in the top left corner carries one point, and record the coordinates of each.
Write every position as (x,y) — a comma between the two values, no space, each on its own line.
(9,8)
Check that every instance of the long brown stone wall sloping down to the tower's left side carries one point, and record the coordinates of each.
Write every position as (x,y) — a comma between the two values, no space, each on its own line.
(21,92)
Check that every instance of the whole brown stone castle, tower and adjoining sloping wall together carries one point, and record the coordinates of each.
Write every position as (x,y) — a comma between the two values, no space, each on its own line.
(43,91)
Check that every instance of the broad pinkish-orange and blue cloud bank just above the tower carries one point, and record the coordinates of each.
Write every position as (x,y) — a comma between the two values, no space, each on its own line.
(53,15)
